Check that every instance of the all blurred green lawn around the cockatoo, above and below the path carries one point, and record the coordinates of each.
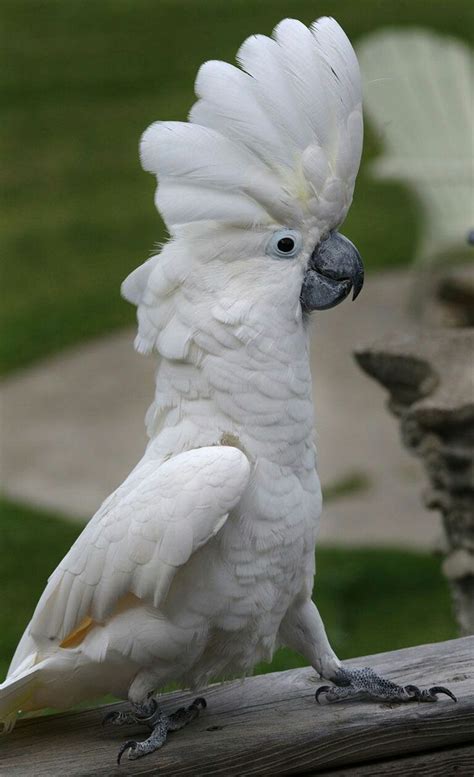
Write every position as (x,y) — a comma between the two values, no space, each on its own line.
(80,81)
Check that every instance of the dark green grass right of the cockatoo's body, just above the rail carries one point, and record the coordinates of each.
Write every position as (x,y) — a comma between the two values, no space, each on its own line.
(377,599)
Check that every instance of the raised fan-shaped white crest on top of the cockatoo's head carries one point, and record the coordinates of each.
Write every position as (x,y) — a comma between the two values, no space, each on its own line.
(278,140)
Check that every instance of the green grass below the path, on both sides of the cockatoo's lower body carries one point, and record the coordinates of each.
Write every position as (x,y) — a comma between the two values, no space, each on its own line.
(370,600)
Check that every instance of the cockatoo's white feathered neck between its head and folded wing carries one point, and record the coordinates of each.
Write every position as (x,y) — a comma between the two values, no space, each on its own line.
(250,389)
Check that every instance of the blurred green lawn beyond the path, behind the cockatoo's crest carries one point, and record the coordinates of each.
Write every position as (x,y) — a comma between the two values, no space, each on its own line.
(79,82)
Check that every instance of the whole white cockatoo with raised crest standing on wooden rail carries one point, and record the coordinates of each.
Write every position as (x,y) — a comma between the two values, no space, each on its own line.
(201,563)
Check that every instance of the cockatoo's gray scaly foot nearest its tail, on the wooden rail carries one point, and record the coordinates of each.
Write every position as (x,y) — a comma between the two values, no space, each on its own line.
(160,724)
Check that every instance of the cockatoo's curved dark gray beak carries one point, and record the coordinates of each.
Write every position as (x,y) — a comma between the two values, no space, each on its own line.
(334,268)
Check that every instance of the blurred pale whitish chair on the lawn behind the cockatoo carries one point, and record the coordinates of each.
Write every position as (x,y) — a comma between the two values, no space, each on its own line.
(418,96)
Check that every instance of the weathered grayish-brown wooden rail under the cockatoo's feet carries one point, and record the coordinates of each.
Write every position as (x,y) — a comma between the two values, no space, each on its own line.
(267,725)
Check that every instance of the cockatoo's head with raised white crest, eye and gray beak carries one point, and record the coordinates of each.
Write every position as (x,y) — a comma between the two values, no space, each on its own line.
(253,190)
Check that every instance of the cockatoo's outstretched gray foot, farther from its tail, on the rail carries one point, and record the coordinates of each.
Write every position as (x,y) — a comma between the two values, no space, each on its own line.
(352,684)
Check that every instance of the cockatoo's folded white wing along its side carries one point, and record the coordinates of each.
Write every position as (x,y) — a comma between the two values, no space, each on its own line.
(137,541)
